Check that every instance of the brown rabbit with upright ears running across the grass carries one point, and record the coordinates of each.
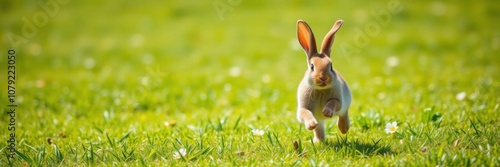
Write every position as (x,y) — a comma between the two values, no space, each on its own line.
(323,92)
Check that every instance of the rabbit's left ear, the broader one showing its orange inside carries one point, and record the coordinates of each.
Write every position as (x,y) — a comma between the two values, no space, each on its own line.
(306,38)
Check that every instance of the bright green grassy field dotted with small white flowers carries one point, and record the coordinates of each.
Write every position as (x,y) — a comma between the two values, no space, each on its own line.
(101,79)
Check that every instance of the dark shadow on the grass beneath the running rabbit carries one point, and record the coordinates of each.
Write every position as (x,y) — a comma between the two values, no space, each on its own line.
(357,147)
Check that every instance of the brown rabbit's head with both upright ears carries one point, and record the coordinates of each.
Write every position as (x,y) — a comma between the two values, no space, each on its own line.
(320,72)
